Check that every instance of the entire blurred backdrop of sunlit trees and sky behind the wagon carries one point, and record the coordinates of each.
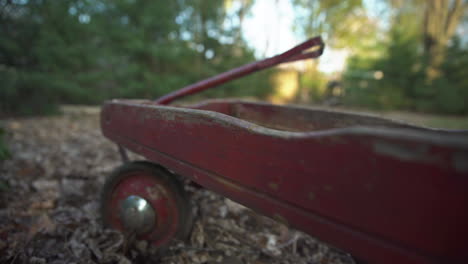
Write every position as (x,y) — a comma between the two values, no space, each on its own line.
(380,55)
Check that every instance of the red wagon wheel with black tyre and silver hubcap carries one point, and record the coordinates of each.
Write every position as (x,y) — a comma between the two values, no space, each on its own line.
(145,200)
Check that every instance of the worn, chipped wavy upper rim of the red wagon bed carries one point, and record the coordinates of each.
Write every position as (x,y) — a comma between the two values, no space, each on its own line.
(388,128)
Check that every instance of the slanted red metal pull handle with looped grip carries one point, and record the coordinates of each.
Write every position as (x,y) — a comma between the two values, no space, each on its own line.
(297,53)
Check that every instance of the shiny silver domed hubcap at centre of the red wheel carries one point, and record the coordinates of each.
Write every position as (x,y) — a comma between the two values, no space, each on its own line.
(137,214)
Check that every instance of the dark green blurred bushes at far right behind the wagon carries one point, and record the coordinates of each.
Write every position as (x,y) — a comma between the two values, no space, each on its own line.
(404,85)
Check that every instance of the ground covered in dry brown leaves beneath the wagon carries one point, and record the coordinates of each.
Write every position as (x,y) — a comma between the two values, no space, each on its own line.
(49,191)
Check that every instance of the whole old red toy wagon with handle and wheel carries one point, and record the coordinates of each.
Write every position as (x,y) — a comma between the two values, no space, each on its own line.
(385,191)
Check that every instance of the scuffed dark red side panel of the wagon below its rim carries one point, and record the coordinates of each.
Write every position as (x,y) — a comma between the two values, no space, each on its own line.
(301,209)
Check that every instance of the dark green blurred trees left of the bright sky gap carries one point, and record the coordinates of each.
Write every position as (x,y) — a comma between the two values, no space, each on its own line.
(85,52)
